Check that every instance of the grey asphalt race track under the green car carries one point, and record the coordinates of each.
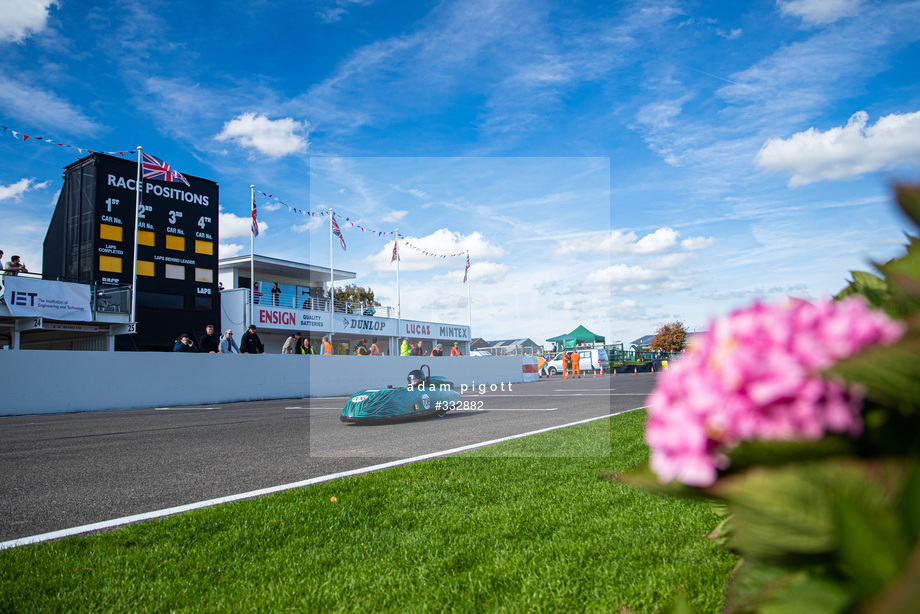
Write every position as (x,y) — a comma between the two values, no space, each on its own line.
(70,470)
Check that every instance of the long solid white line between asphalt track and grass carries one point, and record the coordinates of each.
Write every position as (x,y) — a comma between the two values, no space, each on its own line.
(108,524)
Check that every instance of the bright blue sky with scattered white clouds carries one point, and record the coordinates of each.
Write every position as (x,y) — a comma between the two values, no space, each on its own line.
(620,165)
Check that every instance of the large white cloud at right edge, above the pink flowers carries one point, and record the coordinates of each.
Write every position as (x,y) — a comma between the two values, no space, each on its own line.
(844,152)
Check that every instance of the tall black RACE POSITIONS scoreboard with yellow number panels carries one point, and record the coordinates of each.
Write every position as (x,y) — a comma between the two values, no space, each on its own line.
(177,239)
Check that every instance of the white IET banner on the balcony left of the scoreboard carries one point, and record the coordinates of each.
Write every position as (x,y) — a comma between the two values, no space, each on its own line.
(55,300)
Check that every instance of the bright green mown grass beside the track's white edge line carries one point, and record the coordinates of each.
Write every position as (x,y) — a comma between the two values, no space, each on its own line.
(506,528)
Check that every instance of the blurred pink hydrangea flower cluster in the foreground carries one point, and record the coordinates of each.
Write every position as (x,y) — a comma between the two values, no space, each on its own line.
(756,376)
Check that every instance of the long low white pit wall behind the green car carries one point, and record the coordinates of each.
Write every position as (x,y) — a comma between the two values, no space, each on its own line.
(41,382)
